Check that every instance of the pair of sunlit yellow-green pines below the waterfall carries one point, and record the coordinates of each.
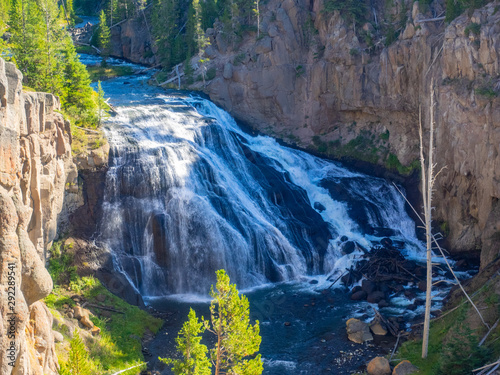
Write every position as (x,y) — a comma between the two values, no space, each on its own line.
(237,341)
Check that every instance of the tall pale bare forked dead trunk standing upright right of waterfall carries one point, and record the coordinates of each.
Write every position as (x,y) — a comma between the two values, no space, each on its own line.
(427,185)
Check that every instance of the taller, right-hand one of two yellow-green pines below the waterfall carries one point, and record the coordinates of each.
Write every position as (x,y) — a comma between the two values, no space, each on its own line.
(237,339)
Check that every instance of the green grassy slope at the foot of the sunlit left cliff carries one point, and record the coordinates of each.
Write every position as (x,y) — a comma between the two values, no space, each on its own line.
(119,344)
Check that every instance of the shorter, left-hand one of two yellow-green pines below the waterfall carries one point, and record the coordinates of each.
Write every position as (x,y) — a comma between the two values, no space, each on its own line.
(194,354)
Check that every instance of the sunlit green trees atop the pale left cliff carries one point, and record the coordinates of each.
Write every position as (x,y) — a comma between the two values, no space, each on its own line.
(35,38)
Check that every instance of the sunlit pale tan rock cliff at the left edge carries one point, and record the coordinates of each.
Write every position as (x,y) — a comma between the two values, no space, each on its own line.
(36,170)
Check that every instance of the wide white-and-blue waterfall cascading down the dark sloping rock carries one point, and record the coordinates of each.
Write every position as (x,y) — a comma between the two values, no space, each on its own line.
(188,192)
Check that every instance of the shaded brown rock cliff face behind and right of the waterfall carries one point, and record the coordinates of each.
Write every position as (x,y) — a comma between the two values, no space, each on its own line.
(312,80)
